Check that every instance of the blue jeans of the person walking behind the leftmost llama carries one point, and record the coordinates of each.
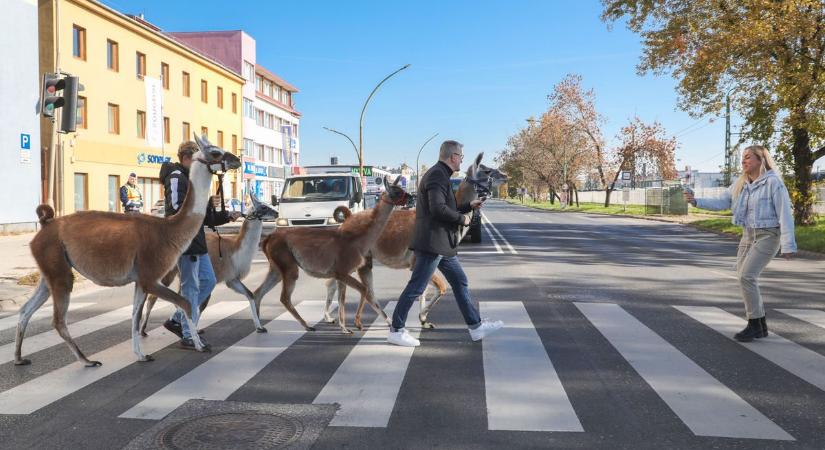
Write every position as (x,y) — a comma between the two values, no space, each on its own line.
(197,279)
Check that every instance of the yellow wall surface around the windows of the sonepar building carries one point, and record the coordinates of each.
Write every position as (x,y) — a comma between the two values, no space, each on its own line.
(97,152)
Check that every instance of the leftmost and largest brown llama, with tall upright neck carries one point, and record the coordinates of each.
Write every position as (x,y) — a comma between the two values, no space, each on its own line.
(101,247)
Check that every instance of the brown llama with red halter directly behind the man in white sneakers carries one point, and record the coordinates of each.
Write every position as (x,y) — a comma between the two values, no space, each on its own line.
(327,253)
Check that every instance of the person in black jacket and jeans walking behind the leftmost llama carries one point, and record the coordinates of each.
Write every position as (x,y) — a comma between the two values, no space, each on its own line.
(197,277)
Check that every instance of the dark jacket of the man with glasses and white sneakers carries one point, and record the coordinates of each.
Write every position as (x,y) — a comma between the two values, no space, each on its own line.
(437,217)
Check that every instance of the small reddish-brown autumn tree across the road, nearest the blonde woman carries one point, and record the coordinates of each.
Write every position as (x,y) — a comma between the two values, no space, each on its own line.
(640,144)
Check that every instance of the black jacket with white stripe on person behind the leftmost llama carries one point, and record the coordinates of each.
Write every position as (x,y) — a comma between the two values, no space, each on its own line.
(175,179)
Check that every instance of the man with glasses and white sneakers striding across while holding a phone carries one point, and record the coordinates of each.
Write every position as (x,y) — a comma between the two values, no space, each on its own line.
(437,220)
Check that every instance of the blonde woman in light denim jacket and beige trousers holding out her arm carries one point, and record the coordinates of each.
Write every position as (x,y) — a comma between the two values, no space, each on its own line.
(762,206)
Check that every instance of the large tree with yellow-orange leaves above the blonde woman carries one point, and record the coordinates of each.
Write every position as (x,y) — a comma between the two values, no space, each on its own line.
(770,55)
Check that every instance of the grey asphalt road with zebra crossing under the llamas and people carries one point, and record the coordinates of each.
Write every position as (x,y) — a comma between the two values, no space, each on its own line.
(617,336)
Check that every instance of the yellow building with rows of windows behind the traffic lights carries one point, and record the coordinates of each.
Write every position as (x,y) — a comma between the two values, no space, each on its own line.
(113,53)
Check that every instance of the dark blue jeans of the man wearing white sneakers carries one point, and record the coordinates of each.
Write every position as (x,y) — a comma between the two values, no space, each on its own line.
(425,265)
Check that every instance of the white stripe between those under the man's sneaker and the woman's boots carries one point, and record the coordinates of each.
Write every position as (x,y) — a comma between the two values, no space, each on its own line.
(703,403)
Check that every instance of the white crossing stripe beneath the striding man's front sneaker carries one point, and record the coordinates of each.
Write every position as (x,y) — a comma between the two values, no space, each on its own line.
(524,392)
